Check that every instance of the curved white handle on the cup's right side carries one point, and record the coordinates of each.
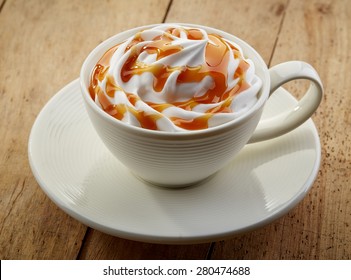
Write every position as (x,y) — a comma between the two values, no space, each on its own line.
(289,120)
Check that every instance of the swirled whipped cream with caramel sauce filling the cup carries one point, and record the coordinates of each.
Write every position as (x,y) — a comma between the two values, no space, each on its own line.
(175,78)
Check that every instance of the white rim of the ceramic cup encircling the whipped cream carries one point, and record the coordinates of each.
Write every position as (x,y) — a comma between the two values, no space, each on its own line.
(85,73)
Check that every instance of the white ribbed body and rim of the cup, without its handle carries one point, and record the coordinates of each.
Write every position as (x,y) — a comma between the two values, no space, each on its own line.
(174,159)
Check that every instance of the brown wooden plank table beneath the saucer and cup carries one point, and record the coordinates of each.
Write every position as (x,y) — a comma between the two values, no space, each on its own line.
(42,47)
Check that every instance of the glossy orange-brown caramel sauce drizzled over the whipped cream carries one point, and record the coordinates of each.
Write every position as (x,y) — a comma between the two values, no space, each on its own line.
(217,59)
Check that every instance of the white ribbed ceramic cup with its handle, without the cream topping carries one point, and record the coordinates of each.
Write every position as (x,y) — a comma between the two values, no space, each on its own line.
(177,159)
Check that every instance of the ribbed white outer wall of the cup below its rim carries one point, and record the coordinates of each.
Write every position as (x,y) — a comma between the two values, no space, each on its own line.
(172,162)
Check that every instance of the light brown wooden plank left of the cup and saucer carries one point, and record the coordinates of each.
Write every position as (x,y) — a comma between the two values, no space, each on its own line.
(42,46)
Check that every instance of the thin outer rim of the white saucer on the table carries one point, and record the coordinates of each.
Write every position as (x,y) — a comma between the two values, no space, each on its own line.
(160,239)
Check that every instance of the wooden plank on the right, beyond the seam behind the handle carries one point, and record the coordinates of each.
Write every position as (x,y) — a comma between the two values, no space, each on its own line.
(320,226)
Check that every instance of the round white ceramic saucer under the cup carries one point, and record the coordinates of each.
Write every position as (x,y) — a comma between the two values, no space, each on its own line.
(79,174)
